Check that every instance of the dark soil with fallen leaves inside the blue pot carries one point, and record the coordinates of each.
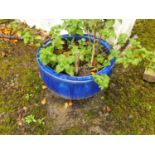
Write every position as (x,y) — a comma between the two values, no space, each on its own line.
(84,66)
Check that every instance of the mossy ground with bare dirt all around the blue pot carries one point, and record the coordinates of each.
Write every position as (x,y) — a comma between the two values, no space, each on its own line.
(126,107)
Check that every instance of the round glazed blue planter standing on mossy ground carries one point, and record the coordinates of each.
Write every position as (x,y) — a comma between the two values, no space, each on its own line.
(72,87)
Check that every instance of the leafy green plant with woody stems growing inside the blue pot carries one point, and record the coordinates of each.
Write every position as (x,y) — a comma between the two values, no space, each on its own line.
(78,52)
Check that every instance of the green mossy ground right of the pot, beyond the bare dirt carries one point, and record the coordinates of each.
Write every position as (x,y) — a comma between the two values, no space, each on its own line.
(132,106)
